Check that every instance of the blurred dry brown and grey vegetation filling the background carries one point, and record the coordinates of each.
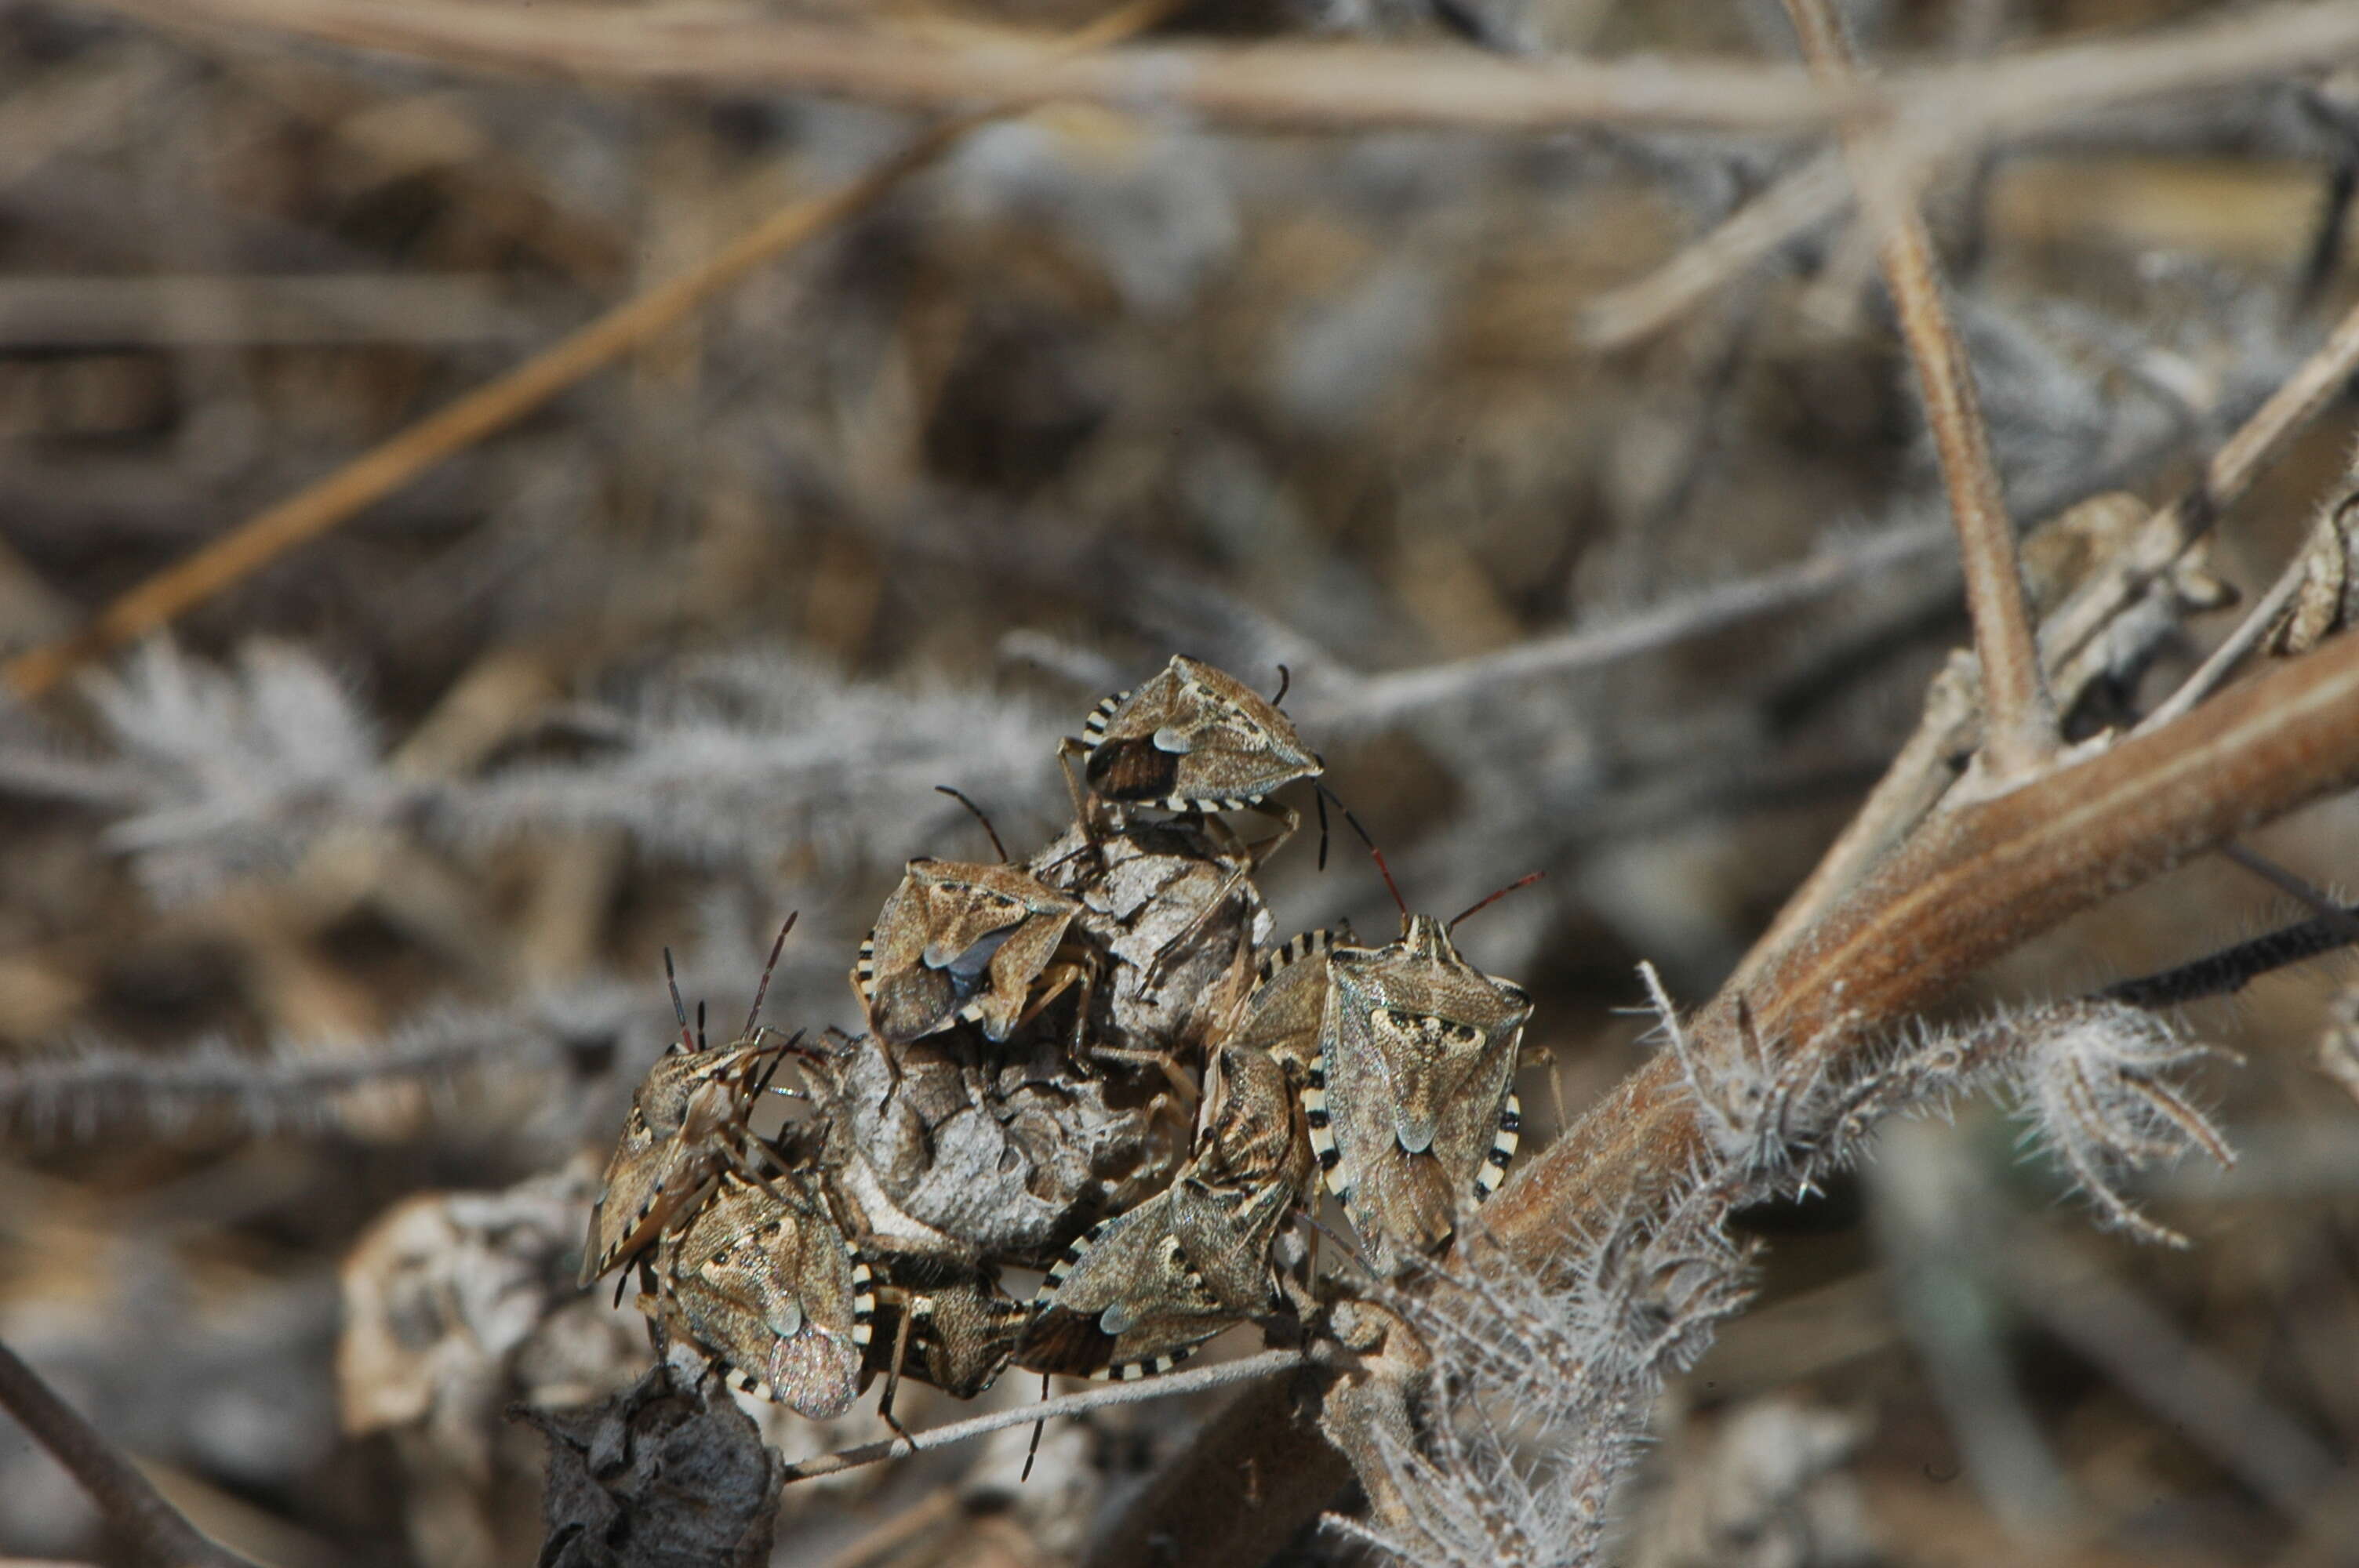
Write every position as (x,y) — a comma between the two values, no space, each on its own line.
(348,892)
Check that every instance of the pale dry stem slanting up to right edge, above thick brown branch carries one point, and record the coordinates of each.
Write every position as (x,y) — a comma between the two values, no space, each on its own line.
(2226,477)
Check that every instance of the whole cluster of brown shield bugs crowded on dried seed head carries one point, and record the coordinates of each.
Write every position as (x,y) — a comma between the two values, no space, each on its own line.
(1091,1065)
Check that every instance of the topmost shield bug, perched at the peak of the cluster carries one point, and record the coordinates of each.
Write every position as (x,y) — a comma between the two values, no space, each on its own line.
(1195,739)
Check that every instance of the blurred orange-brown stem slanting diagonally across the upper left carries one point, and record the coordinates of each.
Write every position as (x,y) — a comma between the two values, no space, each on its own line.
(499,404)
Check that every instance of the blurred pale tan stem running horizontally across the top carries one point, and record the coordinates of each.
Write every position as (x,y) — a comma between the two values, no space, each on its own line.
(1294,86)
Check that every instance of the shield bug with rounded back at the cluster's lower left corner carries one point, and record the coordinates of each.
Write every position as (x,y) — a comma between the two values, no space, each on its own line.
(765,1286)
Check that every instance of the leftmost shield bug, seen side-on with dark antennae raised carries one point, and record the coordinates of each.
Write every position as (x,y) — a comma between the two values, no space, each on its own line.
(685,1126)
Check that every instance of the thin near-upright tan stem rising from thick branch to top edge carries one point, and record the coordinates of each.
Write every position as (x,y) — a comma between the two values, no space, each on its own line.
(2020,723)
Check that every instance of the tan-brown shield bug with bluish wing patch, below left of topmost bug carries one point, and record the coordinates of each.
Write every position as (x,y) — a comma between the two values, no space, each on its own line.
(964,942)
